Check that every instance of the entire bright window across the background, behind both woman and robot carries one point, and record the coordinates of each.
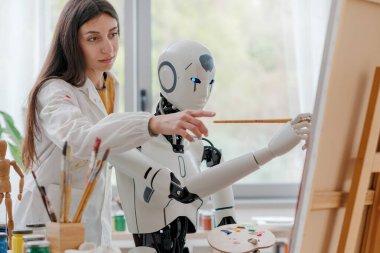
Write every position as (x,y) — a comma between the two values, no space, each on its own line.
(267,55)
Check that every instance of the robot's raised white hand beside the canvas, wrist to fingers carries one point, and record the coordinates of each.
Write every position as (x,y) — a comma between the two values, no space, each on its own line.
(290,135)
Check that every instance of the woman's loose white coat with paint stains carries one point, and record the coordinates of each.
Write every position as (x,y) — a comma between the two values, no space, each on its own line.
(78,115)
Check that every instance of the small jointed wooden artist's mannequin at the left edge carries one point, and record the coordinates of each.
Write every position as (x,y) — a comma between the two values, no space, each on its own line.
(5,185)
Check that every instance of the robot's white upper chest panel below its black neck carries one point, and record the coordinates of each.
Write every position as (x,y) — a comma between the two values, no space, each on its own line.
(182,164)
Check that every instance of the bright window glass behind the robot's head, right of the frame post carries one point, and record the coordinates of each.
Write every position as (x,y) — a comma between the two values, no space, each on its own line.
(257,46)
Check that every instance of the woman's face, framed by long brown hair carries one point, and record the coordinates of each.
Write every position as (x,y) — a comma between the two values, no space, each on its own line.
(99,41)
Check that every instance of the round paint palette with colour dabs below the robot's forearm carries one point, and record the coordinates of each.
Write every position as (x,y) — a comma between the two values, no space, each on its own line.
(240,238)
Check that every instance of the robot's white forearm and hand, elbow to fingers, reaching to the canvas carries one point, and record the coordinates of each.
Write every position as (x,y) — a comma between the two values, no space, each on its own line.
(224,174)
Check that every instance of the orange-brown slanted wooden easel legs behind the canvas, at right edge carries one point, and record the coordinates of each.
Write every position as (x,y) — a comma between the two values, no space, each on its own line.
(365,181)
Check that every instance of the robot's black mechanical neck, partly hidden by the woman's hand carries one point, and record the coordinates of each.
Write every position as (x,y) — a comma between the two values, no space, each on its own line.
(165,107)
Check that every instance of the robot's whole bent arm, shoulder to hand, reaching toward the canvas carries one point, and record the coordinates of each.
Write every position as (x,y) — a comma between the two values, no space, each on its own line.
(162,180)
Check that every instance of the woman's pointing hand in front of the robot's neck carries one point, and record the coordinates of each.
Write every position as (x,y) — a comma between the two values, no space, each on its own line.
(178,123)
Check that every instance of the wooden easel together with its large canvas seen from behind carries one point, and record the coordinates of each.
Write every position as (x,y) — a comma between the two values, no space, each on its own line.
(340,187)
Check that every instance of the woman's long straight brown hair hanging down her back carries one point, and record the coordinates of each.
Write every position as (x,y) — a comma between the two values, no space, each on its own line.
(65,60)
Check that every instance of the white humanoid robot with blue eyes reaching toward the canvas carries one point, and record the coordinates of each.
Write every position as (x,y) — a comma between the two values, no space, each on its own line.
(161,210)
